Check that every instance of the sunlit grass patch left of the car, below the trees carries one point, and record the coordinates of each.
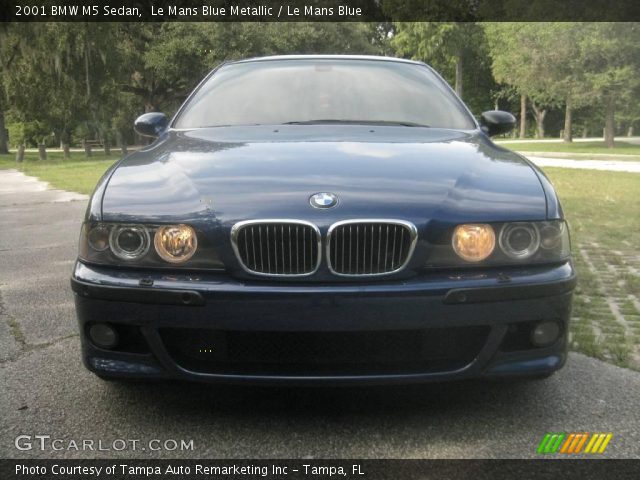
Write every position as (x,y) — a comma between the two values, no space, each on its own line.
(79,174)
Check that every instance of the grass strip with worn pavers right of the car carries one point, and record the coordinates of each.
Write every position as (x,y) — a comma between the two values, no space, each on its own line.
(603,210)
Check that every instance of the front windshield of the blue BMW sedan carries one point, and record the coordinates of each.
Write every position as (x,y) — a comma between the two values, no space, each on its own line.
(307,91)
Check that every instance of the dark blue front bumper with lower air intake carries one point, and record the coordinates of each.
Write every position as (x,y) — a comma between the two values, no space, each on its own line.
(370,329)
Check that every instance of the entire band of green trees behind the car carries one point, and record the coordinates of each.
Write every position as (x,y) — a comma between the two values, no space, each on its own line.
(62,83)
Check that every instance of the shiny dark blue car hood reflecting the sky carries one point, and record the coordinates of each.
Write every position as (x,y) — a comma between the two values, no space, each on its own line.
(231,173)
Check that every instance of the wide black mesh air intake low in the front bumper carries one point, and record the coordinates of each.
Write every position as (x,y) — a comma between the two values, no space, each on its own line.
(325,353)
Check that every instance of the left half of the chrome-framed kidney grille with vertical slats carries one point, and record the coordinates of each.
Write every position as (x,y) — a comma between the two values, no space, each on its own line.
(277,247)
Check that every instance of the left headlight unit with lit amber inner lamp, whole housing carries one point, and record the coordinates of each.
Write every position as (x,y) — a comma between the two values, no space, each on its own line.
(132,245)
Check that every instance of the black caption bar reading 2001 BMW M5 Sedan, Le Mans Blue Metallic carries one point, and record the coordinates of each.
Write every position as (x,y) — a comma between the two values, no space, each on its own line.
(319,10)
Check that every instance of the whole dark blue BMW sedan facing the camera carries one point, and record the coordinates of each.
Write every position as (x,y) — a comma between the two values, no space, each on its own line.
(323,219)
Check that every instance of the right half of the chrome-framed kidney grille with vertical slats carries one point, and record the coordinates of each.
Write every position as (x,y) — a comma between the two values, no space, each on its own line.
(370,247)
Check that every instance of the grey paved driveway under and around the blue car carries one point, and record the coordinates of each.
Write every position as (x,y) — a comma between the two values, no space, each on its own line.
(46,391)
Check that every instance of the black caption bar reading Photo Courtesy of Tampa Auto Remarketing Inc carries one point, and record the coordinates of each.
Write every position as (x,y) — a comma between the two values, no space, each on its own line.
(255,469)
